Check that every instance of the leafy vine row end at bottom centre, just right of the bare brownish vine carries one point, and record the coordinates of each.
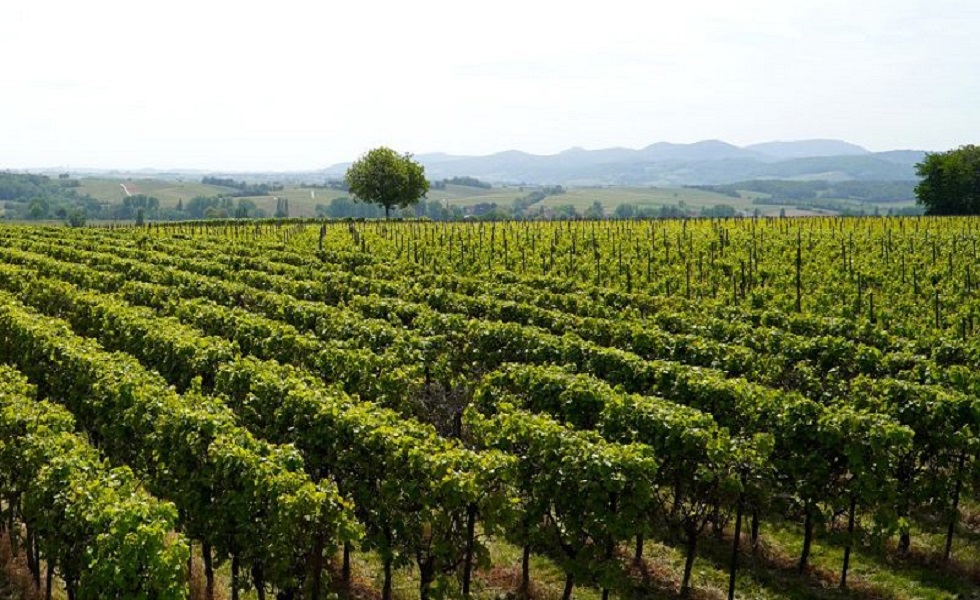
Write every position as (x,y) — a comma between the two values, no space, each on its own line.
(601,494)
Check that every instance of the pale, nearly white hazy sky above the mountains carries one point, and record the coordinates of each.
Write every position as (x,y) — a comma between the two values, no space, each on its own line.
(290,84)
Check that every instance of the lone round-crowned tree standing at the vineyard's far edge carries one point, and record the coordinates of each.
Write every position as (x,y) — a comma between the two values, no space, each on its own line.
(384,177)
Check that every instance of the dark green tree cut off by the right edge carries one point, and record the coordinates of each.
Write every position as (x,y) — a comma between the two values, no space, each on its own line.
(950,183)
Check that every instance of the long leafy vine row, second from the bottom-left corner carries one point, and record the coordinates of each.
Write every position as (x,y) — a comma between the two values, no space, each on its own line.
(245,498)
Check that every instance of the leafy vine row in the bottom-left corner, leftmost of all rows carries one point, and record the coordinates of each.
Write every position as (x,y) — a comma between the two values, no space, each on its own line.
(105,536)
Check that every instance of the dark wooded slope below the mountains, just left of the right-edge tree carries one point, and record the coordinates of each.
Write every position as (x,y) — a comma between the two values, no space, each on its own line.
(779,190)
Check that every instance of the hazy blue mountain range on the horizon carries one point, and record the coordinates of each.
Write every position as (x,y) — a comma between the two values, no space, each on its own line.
(665,164)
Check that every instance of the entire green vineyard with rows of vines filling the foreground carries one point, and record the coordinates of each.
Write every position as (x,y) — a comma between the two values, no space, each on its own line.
(770,408)
